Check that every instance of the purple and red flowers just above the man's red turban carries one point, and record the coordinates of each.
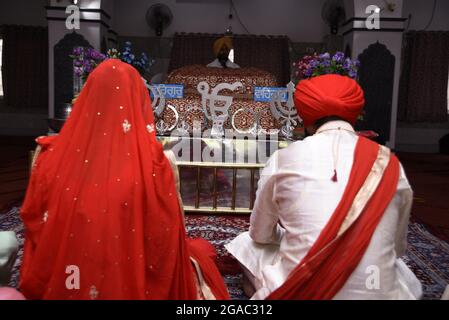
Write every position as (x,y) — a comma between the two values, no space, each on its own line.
(316,65)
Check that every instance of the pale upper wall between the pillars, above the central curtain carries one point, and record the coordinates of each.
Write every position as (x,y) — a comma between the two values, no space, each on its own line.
(298,19)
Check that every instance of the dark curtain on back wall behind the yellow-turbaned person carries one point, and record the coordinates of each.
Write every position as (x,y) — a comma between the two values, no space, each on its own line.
(267,53)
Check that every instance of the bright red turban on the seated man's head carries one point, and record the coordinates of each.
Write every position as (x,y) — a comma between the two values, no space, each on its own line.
(329,95)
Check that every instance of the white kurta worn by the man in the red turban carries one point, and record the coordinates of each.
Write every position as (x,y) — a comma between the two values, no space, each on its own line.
(296,189)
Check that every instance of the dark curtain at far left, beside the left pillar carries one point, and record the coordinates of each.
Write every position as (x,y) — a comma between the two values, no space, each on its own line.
(25,66)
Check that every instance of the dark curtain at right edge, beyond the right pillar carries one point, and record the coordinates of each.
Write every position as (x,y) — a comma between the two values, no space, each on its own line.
(424,78)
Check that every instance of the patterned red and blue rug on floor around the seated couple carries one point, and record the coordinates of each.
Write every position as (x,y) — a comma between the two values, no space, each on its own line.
(427,255)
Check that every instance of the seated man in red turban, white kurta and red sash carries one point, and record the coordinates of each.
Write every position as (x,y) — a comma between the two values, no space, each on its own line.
(331,212)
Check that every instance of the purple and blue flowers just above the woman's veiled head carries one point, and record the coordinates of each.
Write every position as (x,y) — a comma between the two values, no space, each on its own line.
(85,60)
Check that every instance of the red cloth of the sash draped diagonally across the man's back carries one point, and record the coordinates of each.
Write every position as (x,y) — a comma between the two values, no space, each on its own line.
(328,264)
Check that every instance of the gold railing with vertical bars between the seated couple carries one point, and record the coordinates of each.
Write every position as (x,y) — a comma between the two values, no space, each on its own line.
(215,167)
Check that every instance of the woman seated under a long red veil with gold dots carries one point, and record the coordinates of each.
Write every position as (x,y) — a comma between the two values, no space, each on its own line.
(101,207)
